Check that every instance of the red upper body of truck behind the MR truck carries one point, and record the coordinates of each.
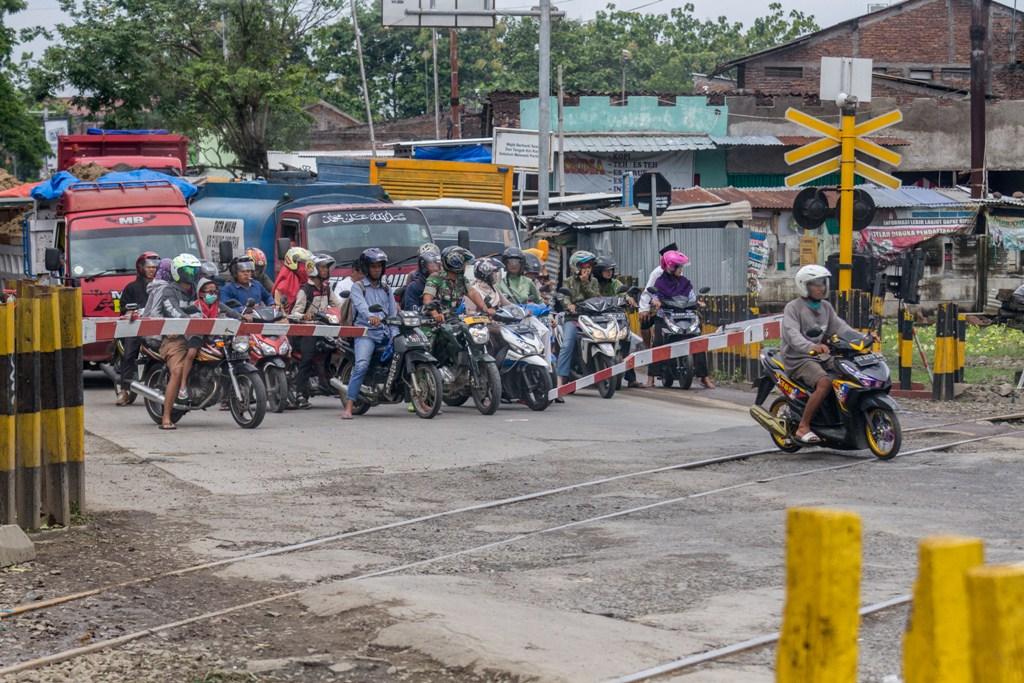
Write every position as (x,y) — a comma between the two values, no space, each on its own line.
(157,152)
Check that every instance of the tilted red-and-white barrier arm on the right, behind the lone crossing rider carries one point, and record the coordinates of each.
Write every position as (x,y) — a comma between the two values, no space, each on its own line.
(736,334)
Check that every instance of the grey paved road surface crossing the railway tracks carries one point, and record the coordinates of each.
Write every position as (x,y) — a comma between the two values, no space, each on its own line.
(582,605)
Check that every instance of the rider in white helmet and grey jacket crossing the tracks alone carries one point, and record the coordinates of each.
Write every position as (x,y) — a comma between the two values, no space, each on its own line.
(807,361)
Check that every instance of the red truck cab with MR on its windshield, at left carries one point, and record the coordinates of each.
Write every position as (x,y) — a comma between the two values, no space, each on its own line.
(103,229)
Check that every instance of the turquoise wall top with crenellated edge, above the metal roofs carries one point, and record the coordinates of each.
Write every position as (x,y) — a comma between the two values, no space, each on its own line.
(642,114)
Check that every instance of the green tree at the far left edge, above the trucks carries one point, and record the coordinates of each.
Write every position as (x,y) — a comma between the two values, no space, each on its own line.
(23,145)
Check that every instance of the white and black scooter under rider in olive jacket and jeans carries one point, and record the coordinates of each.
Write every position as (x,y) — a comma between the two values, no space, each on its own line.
(603,327)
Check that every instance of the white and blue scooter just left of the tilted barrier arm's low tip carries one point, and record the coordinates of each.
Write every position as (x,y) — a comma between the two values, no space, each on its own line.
(521,358)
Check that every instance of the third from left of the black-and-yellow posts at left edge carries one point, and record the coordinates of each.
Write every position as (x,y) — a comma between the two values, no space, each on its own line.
(55,449)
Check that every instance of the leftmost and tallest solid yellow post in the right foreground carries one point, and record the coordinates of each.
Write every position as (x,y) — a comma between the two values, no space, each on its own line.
(819,644)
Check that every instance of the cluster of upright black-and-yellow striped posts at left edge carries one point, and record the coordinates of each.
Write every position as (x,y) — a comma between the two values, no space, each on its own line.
(42,430)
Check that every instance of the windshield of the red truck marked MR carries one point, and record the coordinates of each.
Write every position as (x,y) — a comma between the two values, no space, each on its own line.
(114,250)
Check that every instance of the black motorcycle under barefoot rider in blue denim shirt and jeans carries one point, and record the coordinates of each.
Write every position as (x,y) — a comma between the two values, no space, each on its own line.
(403,372)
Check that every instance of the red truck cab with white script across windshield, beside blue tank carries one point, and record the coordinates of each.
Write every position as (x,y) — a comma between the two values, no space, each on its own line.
(344,231)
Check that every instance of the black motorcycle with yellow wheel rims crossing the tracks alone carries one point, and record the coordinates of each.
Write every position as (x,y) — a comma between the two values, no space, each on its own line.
(860,414)
